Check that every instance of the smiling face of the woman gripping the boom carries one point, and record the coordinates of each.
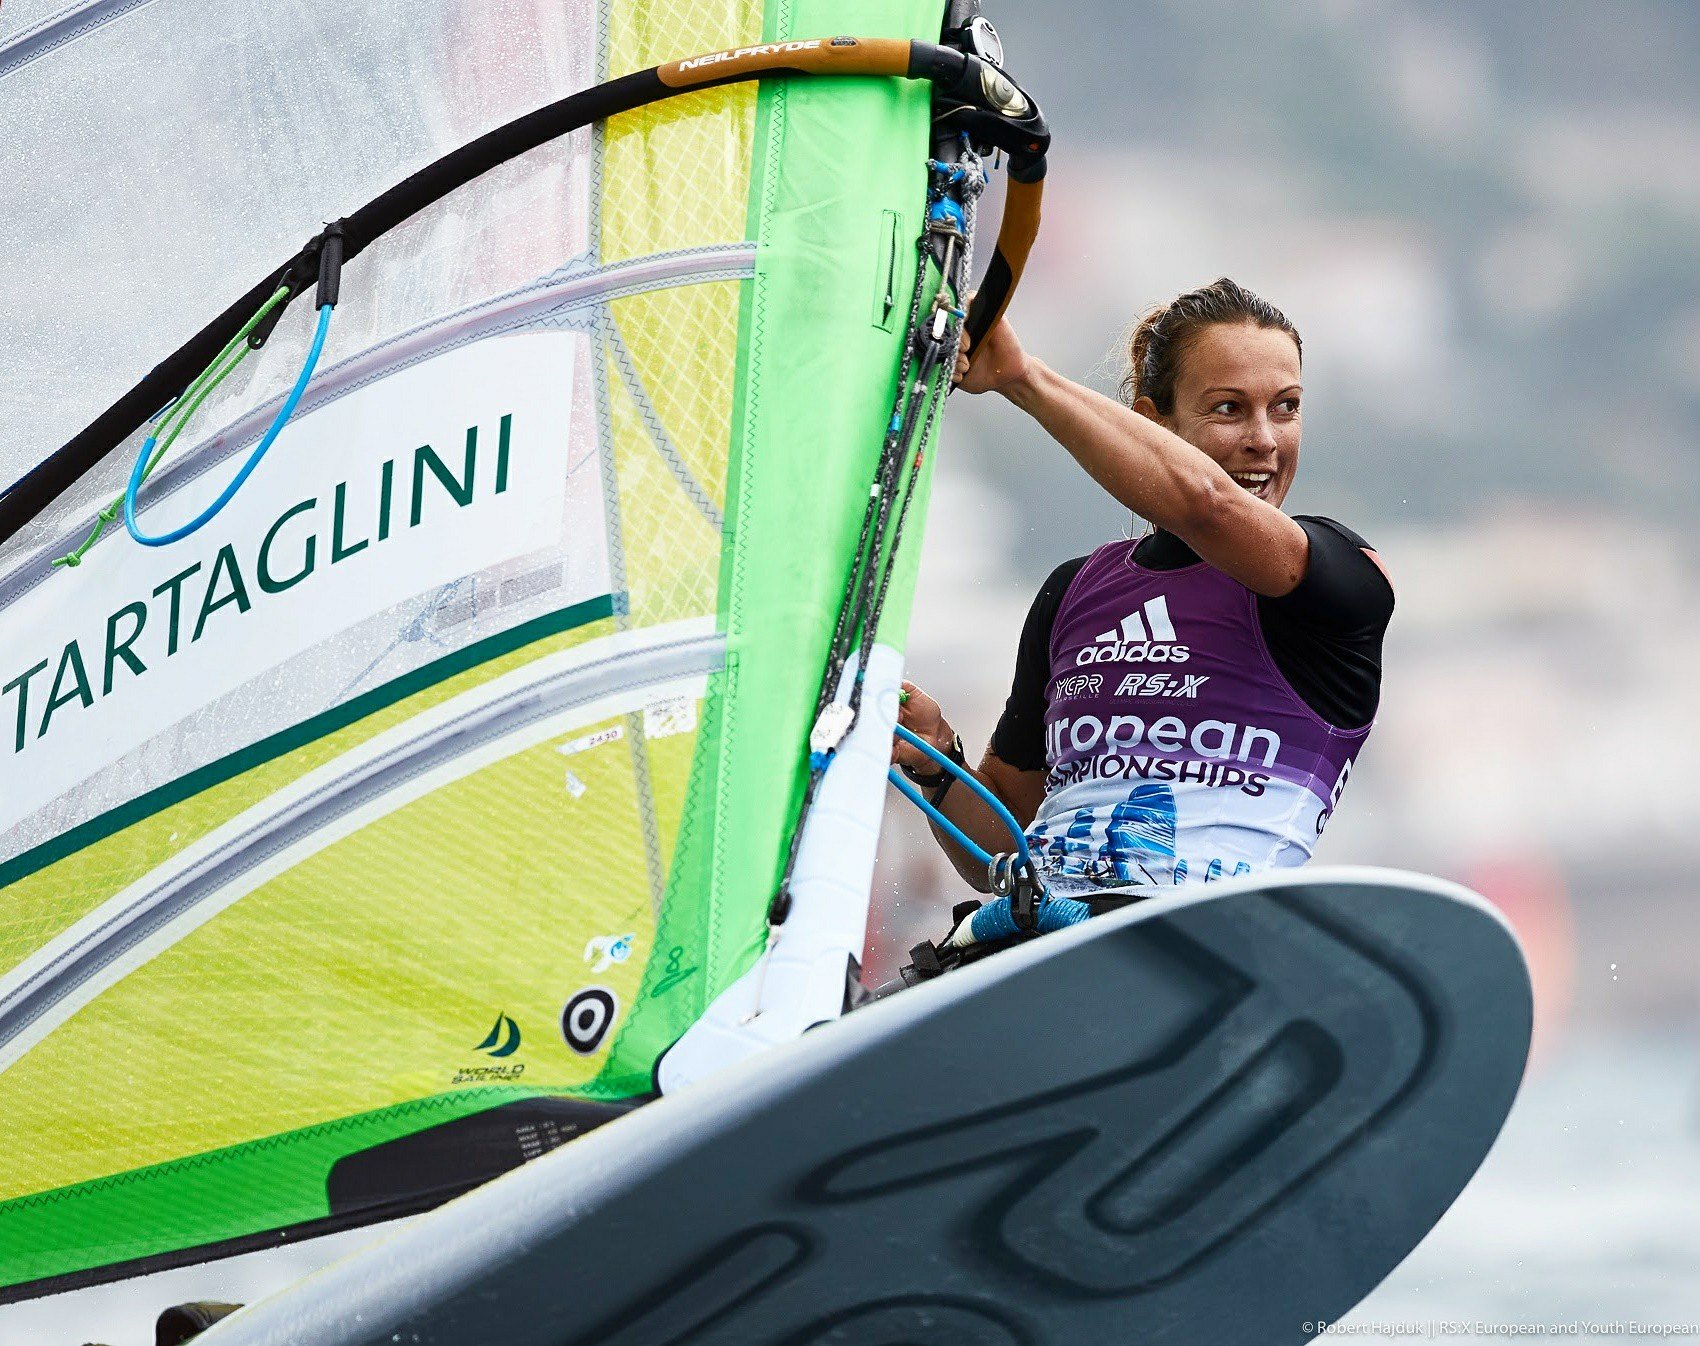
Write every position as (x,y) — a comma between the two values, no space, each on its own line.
(1237,399)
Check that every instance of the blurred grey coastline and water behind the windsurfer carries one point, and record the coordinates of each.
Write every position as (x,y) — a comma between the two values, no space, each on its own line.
(1487,223)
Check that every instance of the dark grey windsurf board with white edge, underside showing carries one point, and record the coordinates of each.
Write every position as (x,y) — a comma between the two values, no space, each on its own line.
(1220,1117)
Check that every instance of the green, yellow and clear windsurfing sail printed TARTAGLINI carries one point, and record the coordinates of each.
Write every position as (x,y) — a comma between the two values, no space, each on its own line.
(390,827)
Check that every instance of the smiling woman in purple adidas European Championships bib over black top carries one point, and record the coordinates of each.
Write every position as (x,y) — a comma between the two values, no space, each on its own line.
(1186,706)
